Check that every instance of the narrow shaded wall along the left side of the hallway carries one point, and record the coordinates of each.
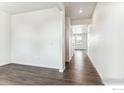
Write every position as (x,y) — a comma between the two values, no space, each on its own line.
(68,40)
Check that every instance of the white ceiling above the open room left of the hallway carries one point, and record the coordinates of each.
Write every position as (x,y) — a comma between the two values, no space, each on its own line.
(20,7)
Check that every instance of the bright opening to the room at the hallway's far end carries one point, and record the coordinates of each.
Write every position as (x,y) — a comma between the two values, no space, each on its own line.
(79,37)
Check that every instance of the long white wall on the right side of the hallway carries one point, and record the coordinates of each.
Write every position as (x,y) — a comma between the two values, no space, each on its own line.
(106,40)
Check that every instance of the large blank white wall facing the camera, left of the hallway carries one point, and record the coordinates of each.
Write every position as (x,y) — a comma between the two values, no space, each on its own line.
(37,38)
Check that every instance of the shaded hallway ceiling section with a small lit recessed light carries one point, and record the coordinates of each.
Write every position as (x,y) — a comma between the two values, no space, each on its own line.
(72,9)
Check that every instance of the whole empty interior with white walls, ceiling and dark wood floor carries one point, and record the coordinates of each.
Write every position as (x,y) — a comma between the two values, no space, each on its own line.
(61,43)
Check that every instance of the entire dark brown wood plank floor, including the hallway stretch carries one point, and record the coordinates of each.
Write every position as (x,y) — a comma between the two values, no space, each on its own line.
(79,71)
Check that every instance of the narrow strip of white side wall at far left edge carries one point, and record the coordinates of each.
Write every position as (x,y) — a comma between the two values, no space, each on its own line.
(4,38)
